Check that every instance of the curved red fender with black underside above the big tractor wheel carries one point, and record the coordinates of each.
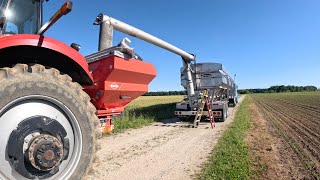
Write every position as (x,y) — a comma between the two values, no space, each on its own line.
(31,48)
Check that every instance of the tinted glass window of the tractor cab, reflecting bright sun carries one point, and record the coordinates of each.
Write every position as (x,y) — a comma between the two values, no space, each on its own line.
(22,17)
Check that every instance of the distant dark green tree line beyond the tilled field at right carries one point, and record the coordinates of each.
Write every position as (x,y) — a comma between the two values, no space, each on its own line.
(279,89)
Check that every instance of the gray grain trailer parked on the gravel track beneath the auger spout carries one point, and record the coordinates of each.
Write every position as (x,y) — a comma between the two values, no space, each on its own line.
(221,91)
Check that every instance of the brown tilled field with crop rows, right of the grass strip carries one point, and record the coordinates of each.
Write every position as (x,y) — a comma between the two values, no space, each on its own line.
(295,124)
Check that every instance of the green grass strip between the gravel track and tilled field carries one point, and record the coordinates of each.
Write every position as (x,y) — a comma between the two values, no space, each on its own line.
(230,158)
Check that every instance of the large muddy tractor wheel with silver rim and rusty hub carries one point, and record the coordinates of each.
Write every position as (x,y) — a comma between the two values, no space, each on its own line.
(48,127)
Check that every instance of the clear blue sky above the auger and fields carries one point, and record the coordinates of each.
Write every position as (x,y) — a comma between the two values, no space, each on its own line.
(265,43)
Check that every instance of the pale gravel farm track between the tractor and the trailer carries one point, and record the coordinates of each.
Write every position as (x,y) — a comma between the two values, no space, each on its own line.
(167,150)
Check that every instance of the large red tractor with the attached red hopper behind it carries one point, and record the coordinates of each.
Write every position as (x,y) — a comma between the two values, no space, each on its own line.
(53,98)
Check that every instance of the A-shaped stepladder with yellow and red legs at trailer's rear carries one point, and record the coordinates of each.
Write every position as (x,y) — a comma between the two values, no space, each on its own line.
(205,99)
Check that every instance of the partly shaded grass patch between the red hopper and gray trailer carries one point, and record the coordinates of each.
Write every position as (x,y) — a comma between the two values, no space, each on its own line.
(145,110)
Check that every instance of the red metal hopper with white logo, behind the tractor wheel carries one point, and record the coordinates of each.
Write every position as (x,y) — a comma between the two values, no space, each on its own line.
(118,81)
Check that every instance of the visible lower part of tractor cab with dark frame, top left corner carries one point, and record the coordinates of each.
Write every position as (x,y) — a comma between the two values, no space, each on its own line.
(20,16)
